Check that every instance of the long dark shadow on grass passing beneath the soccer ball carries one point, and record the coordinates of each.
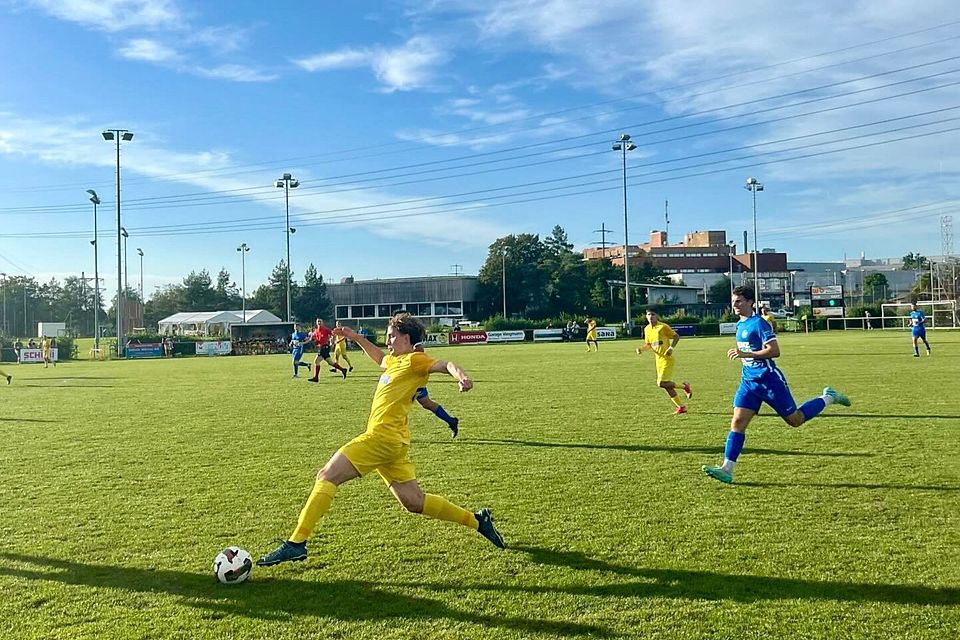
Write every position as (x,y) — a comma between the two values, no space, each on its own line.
(278,599)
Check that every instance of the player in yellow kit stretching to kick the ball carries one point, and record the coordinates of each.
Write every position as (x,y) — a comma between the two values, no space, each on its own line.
(385,445)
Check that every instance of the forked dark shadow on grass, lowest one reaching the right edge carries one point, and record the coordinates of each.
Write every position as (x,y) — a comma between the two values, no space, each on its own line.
(707,585)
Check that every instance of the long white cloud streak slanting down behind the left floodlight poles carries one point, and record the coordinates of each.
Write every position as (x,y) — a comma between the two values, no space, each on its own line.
(76,141)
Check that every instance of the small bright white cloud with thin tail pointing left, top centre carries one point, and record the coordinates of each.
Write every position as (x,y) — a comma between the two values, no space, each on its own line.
(403,68)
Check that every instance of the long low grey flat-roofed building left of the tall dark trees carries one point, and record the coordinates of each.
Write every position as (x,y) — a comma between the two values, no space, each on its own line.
(430,298)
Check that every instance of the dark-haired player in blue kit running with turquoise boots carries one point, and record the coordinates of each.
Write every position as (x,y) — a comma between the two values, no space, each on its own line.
(762,382)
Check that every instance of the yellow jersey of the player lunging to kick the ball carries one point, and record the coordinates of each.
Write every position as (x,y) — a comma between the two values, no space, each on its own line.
(399,382)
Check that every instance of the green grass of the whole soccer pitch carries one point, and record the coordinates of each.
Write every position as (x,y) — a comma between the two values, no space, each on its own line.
(120,481)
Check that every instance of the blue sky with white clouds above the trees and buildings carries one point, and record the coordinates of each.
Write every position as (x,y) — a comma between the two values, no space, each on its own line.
(421,131)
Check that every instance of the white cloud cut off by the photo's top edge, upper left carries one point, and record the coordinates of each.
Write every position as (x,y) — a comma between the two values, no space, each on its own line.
(115,15)
